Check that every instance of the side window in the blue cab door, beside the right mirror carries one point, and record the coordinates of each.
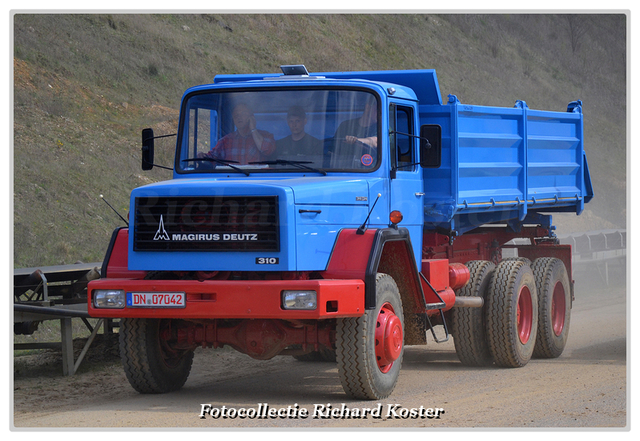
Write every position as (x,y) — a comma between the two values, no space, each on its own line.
(401,137)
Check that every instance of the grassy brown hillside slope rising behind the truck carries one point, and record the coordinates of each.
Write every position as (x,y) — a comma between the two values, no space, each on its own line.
(85,85)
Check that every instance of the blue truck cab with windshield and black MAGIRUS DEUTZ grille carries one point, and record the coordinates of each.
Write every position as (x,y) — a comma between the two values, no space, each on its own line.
(303,192)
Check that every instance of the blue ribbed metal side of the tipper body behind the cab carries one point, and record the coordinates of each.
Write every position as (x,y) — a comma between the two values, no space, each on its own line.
(501,164)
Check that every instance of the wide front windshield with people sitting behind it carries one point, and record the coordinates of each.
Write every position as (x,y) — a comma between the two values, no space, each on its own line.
(312,130)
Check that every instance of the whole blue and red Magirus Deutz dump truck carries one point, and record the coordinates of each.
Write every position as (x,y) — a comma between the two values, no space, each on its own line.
(342,216)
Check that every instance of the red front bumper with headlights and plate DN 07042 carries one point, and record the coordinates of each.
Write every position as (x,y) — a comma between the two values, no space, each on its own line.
(224,299)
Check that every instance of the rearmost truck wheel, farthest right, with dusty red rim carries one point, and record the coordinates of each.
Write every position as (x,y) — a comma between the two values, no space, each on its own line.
(554,307)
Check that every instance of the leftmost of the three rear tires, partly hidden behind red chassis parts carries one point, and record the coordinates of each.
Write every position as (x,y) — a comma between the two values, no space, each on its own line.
(469,336)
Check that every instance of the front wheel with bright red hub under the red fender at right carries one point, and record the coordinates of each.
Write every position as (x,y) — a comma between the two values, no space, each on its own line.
(363,374)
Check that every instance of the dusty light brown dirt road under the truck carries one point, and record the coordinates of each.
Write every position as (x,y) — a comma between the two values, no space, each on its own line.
(585,388)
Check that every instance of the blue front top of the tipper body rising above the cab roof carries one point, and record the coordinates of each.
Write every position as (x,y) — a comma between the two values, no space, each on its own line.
(423,82)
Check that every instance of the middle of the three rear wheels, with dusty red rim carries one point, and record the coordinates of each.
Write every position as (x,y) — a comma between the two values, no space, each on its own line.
(512,314)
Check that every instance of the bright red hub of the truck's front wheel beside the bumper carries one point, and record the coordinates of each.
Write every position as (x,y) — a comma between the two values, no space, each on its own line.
(388,337)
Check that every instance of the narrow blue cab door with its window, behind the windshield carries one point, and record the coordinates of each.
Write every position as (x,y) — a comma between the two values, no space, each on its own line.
(406,183)
